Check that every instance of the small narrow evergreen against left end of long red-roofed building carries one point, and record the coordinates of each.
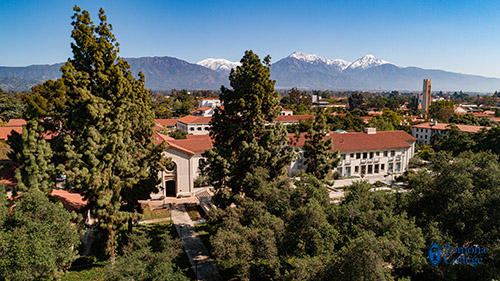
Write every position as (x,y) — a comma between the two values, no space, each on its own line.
(319,159)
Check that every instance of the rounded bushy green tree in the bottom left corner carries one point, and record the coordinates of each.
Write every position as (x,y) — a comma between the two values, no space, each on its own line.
(37,240)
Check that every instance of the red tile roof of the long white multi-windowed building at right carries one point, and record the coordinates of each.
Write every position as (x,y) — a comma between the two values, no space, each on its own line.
(356,141)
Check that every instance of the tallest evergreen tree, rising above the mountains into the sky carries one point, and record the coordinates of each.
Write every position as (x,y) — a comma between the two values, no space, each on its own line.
(108,123)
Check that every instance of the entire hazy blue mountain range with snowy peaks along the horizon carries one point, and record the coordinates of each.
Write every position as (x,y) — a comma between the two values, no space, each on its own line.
(304,71)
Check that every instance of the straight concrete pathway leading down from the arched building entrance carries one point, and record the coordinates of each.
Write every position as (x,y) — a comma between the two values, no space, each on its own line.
(198,255)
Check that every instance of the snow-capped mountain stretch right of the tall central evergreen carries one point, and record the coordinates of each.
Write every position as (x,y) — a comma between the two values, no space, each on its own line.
(369,73)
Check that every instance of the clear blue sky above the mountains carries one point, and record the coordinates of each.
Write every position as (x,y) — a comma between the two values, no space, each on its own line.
(459,36)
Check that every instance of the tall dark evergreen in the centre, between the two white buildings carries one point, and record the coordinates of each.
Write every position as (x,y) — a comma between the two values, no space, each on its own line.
(243,129)
